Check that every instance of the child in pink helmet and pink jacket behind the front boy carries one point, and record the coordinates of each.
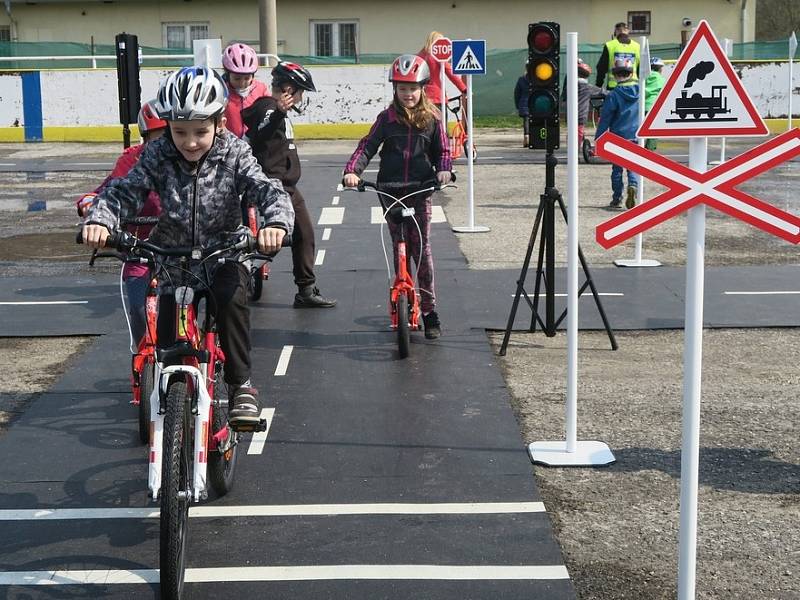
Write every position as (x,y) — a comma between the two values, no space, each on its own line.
(241,63)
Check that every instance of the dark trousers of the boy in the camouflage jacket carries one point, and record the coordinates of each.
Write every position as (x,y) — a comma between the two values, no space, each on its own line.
(232,313)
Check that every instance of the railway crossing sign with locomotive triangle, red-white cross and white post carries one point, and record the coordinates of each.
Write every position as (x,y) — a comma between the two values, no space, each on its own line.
(698,112)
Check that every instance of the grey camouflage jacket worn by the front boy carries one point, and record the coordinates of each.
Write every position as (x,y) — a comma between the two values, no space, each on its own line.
(200,204)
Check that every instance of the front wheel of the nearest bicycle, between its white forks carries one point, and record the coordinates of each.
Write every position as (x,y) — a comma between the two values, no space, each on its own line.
(175,489)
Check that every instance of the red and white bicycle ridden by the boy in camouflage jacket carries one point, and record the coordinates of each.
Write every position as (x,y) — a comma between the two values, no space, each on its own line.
(191,441)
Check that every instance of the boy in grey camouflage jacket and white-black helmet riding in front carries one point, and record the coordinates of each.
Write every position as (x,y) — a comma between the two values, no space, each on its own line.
(200,172)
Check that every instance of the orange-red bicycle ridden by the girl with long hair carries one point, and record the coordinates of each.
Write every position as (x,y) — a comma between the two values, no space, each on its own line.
(404,296)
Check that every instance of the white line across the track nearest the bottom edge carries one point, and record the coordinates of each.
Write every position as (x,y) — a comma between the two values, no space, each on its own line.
(287,573)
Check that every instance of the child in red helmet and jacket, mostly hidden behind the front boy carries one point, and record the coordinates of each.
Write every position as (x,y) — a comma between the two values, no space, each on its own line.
(136,277)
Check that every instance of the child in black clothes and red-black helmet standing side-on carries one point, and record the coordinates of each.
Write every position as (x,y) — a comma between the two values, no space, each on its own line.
(270,133)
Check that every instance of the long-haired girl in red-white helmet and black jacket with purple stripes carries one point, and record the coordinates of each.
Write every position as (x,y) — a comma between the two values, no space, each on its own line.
(415,151)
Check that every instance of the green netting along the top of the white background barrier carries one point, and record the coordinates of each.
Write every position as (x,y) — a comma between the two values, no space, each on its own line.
(493,92)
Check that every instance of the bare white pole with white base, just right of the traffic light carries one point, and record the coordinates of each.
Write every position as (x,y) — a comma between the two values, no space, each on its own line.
(571,452)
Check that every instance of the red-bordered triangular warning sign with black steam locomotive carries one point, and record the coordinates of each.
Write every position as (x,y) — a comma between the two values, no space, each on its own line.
(703,96)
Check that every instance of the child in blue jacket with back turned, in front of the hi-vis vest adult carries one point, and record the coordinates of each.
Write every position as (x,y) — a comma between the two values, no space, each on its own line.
(620,115)
